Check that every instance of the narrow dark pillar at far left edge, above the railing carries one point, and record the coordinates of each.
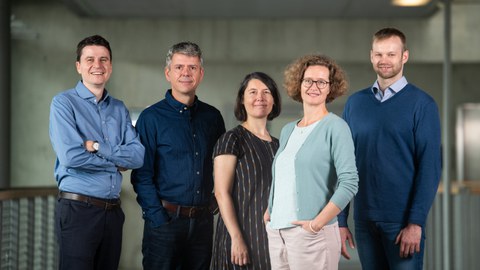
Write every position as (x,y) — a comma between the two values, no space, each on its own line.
(5,112)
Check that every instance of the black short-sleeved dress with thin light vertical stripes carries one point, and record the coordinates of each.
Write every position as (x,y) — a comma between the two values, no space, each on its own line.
(251,187)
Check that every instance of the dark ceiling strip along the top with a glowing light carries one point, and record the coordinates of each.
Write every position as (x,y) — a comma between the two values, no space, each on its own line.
(248,9)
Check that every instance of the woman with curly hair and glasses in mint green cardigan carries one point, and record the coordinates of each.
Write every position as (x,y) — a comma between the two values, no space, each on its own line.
(314,171)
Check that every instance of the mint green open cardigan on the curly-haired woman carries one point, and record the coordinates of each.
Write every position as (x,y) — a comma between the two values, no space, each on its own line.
(324,166)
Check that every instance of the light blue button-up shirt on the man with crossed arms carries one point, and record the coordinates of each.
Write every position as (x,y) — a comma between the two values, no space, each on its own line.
(75,117)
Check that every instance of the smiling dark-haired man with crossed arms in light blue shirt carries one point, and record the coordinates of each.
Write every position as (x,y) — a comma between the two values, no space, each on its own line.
(94,140)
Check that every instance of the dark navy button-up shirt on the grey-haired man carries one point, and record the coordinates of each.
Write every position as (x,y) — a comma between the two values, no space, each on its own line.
(178,164)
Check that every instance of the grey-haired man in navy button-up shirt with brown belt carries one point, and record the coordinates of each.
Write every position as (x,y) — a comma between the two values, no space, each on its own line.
(175,184)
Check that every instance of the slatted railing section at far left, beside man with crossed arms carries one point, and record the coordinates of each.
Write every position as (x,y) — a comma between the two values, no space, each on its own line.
(27,237)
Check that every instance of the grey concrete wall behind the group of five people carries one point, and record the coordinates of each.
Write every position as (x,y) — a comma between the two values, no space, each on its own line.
(43,56)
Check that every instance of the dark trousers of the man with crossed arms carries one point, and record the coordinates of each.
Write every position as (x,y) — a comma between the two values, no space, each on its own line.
(89,237)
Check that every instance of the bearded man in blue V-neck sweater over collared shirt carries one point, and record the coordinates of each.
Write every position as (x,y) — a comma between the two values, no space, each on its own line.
(396,132)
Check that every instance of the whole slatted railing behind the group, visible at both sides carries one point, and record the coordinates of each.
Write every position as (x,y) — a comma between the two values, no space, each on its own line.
(27,238)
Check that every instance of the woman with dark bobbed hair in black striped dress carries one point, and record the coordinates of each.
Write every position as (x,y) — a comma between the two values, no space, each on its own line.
(243,160)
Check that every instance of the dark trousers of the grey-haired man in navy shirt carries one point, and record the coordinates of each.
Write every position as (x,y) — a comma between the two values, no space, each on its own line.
(181,244)
